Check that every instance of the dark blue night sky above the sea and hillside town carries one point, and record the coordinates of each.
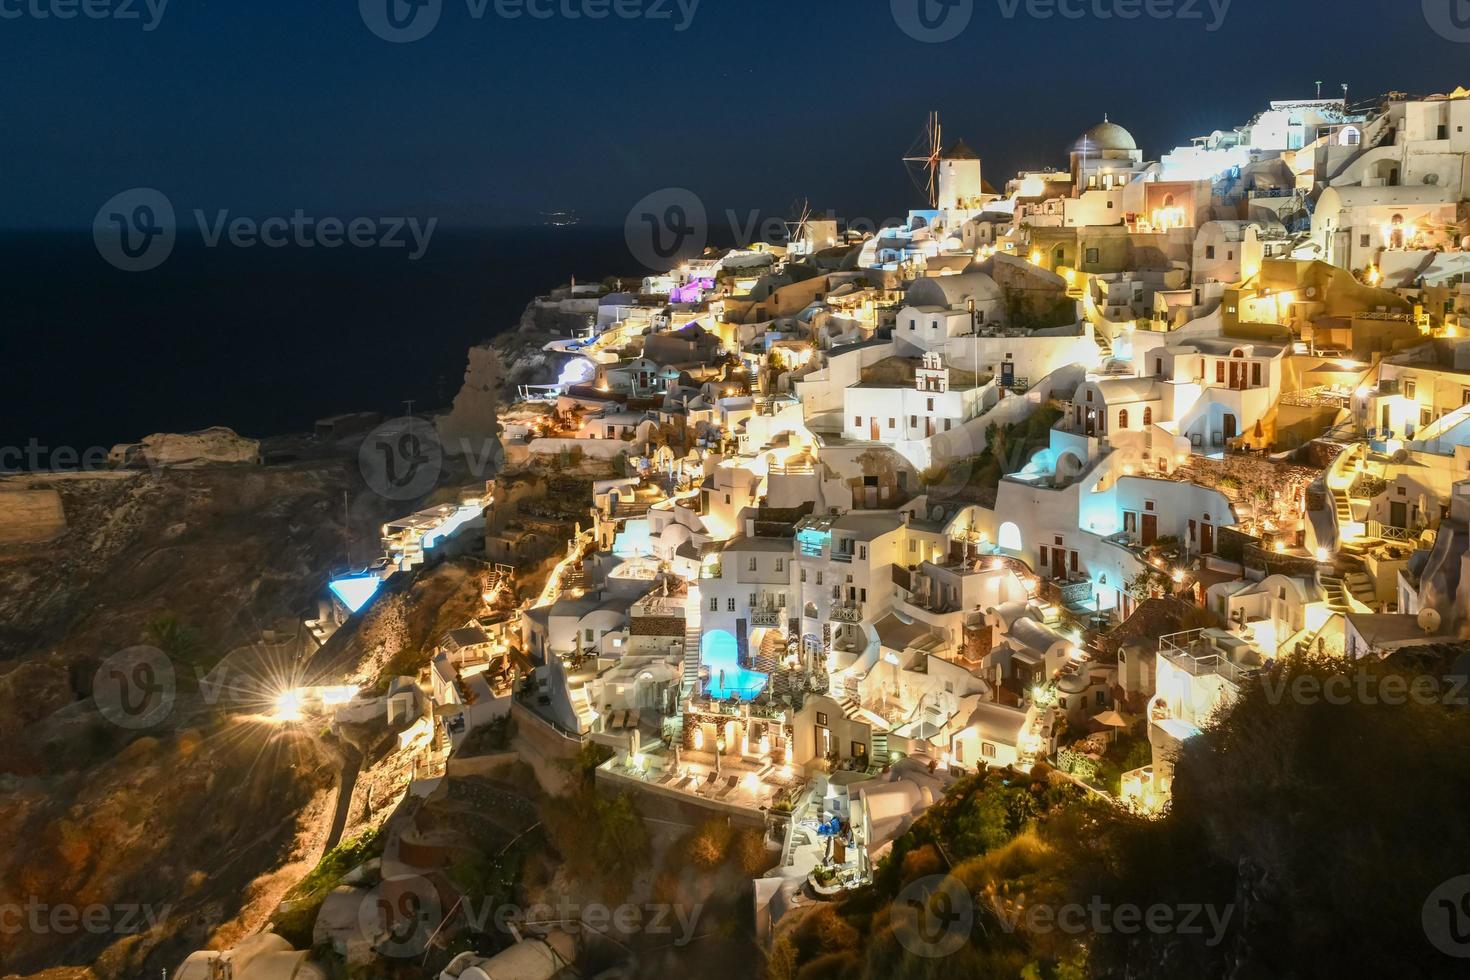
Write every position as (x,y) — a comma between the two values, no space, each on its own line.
(262,107)
